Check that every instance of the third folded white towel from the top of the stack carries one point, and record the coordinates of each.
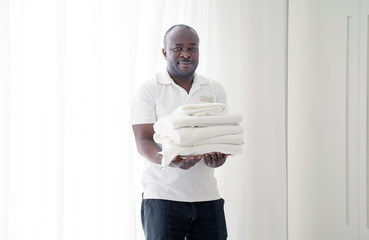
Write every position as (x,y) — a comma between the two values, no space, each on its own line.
(188,136)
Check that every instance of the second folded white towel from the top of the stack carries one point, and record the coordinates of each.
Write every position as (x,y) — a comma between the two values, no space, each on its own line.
(180,121)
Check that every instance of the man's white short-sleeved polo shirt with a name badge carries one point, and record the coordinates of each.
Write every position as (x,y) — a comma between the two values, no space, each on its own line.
(160,97)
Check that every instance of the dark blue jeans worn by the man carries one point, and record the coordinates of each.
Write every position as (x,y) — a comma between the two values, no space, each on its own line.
(171,220)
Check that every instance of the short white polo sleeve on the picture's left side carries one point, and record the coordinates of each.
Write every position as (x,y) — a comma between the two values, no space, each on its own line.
(143,105)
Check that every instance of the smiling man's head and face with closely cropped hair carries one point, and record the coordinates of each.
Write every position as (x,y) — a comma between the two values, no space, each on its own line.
(182,52)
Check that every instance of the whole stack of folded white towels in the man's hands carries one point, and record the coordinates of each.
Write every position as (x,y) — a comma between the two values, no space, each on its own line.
(196,129)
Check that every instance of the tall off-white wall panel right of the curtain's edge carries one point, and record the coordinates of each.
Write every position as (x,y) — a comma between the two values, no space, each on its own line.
(323,119)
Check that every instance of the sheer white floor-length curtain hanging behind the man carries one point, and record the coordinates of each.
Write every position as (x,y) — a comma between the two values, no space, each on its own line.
(68,70)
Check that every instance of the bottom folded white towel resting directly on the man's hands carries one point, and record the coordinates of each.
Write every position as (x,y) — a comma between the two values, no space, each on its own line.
(170,152)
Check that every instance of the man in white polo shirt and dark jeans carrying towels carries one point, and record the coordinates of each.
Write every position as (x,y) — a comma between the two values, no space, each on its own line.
(183,201)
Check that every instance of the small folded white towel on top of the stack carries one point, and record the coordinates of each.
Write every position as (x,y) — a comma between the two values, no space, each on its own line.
(204,109)
